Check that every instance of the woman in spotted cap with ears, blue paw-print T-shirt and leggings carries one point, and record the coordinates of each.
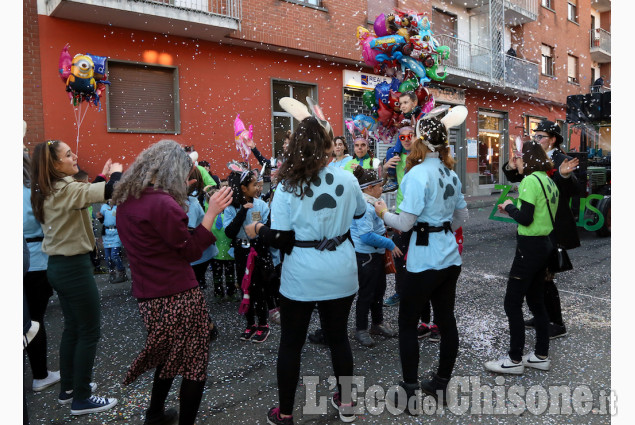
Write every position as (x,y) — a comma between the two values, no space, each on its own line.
(433,206)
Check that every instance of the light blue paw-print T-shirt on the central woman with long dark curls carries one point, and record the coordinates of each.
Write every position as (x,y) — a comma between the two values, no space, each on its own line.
(327,210)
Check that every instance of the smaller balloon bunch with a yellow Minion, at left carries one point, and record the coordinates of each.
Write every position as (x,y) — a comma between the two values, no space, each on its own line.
(84,76)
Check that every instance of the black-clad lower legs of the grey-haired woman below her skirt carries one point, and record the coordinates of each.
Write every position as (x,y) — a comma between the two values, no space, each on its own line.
(190,397)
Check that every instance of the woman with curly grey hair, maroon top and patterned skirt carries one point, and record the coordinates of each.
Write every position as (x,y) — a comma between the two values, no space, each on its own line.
(152,224)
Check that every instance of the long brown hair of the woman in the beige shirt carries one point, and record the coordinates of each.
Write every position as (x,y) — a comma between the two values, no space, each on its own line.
(43,175)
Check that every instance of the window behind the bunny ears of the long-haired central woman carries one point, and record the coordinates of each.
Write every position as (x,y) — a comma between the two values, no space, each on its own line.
(282,120)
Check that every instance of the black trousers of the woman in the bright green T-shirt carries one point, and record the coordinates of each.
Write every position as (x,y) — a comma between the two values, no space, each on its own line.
(527,280)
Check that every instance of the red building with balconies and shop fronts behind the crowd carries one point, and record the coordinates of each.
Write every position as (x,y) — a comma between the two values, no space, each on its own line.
(183,69)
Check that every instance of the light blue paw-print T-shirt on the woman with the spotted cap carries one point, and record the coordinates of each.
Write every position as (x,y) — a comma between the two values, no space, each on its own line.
(432,192)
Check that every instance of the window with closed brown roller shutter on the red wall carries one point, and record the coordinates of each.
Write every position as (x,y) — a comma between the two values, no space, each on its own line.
(142,98)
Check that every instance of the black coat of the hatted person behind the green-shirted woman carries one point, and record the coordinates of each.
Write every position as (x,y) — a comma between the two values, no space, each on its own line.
(565,229)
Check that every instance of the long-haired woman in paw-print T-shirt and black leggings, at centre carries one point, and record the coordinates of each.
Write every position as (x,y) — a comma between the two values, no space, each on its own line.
(311,215)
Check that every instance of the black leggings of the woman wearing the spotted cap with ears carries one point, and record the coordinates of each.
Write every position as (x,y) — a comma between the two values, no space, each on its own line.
(438,286)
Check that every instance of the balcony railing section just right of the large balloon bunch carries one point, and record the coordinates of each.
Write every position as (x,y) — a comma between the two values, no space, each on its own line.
(467,57)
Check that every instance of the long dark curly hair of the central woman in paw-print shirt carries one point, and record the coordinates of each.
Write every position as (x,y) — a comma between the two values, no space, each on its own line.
(305,156)
